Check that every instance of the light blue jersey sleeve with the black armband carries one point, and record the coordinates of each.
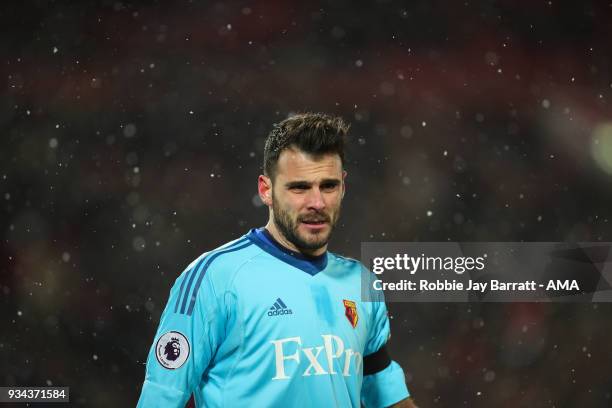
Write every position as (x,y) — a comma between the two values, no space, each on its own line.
(385,385)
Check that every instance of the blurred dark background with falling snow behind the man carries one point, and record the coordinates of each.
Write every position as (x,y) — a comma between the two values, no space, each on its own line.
(132,136)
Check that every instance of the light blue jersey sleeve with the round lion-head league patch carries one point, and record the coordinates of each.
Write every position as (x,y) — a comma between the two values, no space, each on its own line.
(190,330)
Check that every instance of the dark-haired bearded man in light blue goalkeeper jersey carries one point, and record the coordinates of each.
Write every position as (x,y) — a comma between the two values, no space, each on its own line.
(273,319)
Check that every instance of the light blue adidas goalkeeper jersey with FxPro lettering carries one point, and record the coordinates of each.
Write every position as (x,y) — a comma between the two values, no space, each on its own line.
(254,324)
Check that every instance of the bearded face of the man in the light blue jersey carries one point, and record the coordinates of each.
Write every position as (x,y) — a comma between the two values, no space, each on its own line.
(307,194)
